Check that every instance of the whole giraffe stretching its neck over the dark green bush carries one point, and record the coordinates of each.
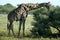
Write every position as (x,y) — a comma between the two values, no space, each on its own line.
(20,14)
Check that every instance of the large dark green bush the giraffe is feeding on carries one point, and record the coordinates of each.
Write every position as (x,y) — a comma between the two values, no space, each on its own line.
(45,19)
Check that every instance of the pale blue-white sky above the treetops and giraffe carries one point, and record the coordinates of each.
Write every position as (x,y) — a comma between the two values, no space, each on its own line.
(15,2)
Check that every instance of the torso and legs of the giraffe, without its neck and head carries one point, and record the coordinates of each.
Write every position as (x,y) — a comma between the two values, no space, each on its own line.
(13,16)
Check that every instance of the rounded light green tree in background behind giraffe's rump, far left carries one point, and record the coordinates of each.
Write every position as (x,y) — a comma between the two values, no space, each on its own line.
(6,8)
